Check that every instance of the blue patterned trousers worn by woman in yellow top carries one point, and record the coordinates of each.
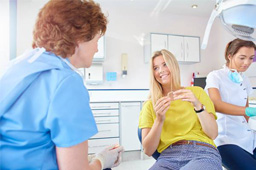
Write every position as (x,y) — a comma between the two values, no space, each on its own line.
(188,157)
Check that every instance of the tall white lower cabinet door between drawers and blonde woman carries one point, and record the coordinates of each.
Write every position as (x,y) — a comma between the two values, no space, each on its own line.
(130,112)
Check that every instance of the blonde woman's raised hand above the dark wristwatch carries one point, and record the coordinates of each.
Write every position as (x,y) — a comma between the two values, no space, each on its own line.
(187,95)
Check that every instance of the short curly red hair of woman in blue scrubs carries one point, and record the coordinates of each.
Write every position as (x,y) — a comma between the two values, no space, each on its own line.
(62,23)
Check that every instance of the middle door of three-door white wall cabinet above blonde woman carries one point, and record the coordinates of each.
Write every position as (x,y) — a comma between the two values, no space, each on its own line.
(176,46)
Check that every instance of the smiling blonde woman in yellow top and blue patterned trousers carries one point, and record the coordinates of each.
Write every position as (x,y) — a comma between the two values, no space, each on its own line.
(178,122)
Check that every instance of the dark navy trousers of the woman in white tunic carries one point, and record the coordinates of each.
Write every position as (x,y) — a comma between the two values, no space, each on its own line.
(236,158)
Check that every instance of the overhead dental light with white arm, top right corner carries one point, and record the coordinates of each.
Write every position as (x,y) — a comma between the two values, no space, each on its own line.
(238,17)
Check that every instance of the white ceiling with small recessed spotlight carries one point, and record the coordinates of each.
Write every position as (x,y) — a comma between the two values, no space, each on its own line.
(155,7)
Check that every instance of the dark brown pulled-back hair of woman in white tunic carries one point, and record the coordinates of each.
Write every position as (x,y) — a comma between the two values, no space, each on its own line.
(233,47)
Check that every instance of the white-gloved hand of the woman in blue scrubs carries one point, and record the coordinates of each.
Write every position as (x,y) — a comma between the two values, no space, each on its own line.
(110,156)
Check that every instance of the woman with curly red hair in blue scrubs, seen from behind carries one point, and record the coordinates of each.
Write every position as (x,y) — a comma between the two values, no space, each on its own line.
(45,117)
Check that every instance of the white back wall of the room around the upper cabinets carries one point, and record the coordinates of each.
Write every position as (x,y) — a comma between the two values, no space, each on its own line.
(123,28)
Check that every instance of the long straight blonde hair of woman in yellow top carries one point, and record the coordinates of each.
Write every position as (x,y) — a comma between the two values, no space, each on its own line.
(156,90)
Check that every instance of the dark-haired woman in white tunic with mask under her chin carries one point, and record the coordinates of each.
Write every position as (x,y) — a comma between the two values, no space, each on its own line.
(229,89)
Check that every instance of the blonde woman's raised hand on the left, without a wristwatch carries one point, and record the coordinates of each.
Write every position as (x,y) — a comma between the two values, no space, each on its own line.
(161,106)
